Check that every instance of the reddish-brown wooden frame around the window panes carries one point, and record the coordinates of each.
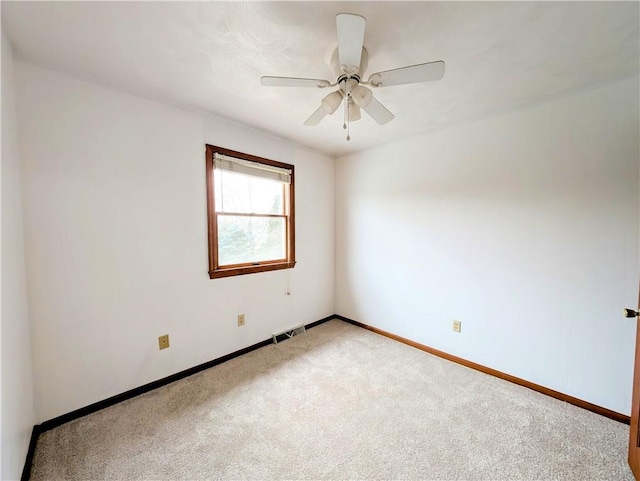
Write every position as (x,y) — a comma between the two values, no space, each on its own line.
(215,271)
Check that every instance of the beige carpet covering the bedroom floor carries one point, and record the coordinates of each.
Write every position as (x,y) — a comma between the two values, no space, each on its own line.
(338,402)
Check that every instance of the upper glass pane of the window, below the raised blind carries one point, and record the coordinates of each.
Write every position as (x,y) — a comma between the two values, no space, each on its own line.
(245,194)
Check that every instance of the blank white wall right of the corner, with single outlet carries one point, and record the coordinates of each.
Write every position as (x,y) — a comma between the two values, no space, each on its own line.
(523,226)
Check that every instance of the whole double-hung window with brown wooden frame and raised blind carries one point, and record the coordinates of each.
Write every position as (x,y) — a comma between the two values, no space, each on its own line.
(250,213)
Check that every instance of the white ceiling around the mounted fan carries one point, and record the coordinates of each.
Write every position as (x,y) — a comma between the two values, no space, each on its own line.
(209,56)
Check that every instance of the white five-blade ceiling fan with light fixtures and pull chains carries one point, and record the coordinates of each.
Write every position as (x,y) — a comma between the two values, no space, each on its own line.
(349,62)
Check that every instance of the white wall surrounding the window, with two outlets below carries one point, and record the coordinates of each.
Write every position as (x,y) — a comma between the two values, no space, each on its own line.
(116,241)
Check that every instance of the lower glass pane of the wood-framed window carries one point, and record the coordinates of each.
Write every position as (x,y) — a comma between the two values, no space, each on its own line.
(250,239)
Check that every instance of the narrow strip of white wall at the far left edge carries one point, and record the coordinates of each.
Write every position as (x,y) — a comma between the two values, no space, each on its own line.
(17,385)
